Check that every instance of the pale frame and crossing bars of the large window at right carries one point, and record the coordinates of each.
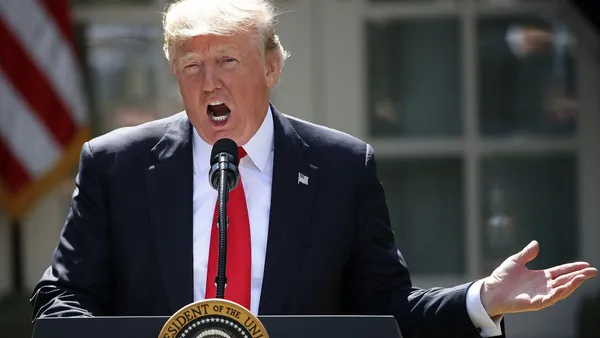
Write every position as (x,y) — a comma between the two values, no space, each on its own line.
(350,114)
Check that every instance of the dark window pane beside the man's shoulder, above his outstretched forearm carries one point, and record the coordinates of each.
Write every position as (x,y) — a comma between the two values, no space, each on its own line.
(425,200)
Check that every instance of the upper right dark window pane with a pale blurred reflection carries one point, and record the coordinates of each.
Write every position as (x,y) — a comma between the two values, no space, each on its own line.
(527,77)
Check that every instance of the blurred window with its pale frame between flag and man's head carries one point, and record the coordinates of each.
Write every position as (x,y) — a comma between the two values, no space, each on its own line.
(128,76)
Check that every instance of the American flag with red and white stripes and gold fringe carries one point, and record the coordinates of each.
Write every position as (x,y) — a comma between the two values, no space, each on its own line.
(43,112)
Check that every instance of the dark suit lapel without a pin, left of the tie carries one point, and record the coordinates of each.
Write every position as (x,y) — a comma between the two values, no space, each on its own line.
(169,183)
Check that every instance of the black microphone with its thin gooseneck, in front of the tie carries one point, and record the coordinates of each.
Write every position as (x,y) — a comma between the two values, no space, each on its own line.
(223,176)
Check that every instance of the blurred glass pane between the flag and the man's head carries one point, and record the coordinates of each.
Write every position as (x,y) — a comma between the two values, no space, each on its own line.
(122,62)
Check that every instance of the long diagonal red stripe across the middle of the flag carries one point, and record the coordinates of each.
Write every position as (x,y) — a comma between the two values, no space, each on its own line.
(32,84)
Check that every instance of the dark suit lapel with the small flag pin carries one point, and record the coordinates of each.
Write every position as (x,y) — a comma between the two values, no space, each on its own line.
(293,189)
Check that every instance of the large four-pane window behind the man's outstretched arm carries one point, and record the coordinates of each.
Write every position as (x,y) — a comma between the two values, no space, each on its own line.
(472,109)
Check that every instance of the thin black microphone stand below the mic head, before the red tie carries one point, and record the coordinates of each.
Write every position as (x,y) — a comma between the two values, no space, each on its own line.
(221,279)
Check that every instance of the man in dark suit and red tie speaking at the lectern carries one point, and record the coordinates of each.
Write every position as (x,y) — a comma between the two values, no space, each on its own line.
(309,227)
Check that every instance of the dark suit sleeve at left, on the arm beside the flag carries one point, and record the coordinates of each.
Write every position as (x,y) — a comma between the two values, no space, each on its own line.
(77,282)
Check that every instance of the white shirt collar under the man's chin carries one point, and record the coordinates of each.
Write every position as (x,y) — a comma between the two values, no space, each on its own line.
(258,148)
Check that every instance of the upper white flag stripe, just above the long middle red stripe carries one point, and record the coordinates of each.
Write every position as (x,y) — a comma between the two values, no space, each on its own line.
(41,38)
